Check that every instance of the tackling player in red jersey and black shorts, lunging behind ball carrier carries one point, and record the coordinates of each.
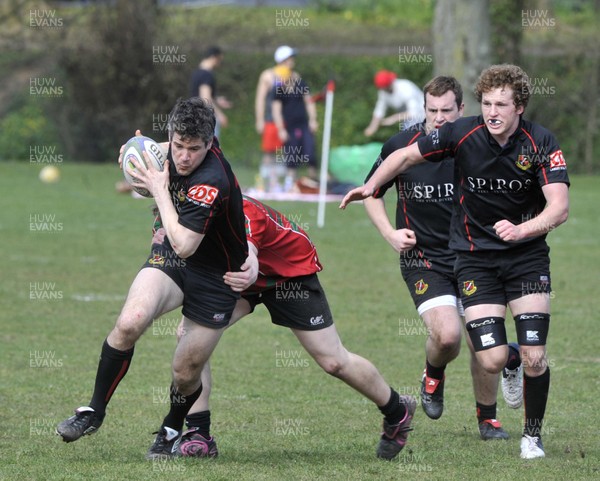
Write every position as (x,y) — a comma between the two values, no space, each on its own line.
(288,286)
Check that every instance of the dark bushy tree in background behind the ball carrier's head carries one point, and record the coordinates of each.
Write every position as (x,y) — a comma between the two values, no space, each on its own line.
(111,84)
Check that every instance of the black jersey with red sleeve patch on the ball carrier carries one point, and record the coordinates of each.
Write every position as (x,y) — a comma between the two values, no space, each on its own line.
(209,202)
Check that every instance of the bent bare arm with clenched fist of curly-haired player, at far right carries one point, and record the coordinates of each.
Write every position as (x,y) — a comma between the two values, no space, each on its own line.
(554,214)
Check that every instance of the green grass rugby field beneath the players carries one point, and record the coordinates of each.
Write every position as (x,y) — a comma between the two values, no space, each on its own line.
(71,251)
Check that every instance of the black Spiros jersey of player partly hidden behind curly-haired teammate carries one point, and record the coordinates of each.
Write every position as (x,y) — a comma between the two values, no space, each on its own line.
(425,196)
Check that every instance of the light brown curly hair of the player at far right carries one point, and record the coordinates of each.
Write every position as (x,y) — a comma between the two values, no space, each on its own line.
(505,75)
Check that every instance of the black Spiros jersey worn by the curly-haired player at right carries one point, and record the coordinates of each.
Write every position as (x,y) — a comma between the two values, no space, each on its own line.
(495,182)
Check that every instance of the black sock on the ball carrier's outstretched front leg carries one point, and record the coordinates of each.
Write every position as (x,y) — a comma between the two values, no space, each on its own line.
(112,367)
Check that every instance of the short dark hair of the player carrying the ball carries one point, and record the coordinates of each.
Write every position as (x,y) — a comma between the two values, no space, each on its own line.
(192,118)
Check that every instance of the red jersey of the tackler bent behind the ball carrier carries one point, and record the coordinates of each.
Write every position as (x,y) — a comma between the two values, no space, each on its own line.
(284,249)
